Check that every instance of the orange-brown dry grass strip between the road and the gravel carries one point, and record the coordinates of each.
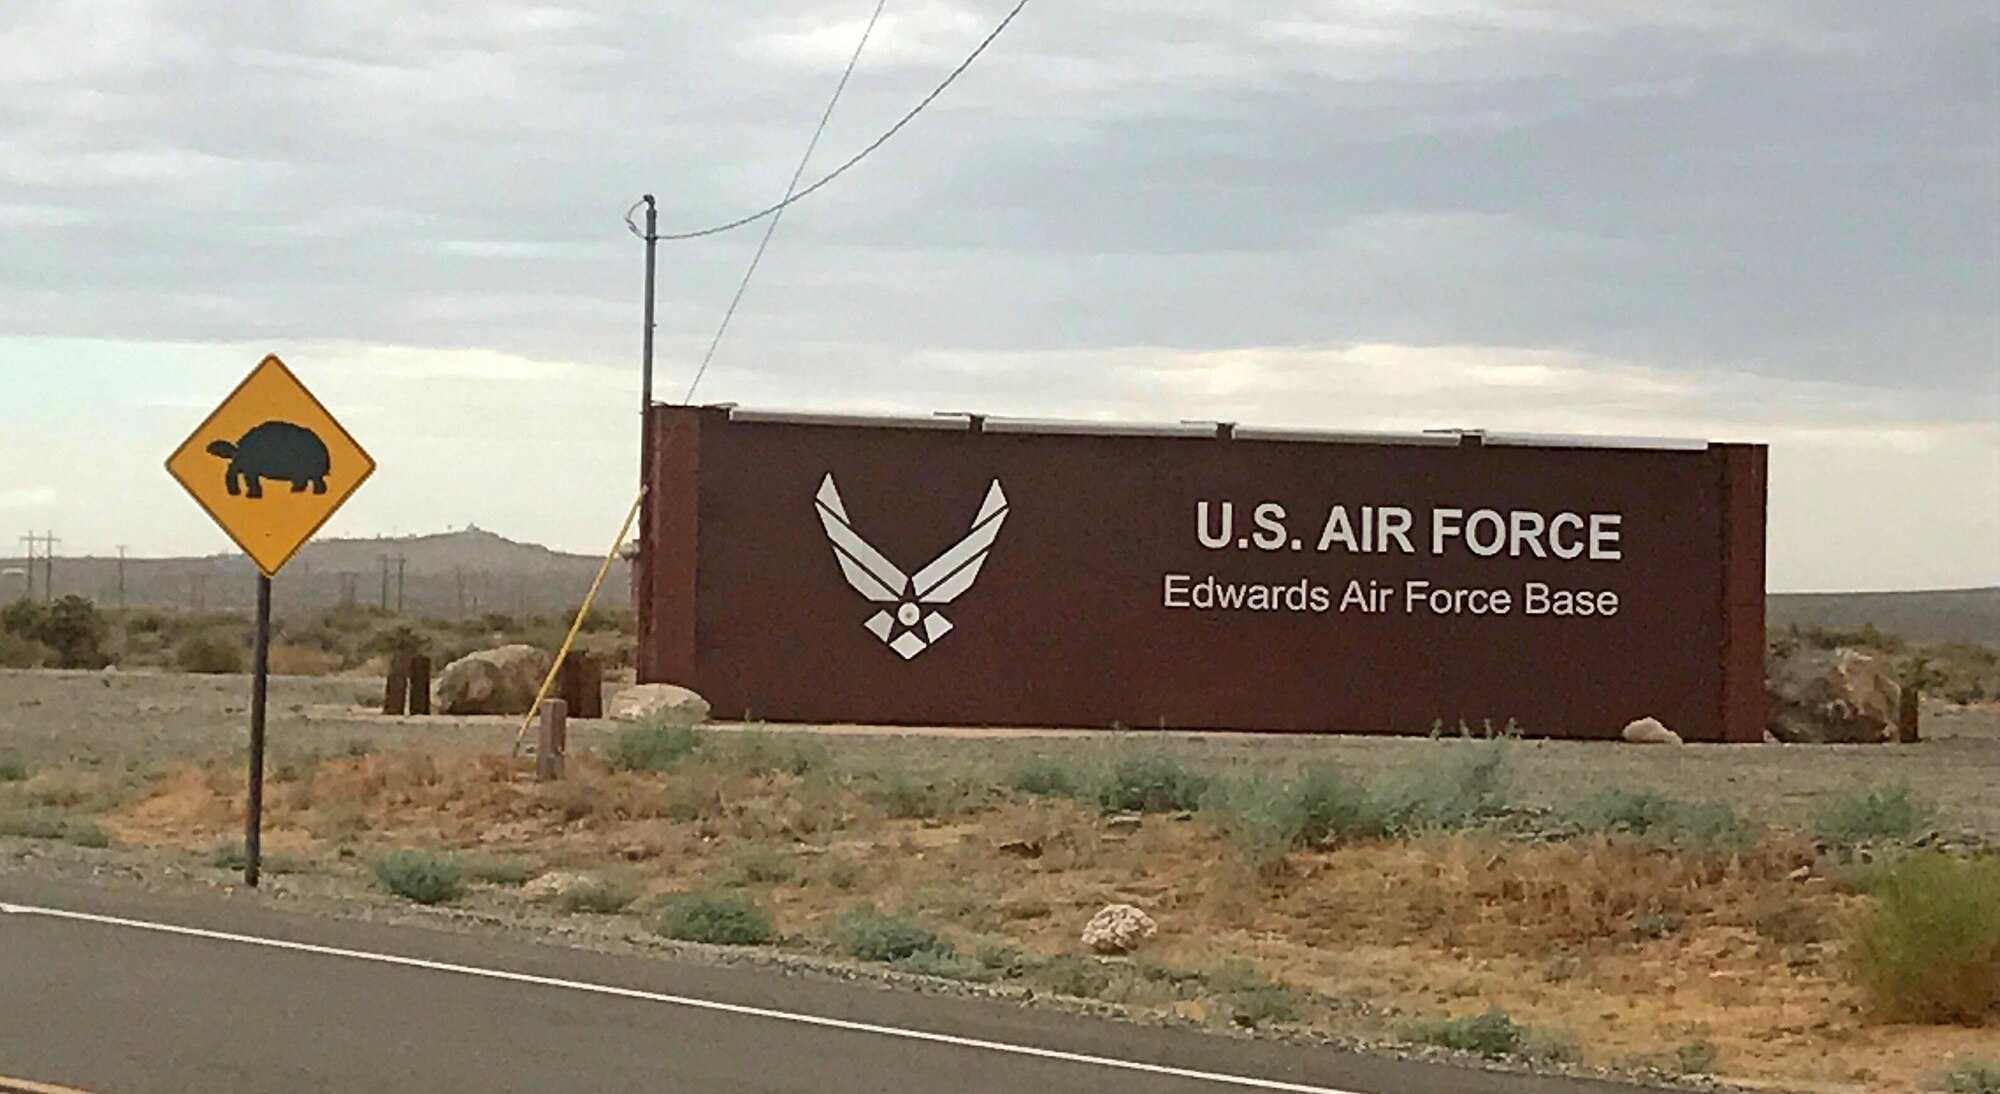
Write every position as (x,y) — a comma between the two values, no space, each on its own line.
(1635,949)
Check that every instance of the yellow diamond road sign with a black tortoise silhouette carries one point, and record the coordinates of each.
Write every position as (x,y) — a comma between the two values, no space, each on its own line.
(271,465)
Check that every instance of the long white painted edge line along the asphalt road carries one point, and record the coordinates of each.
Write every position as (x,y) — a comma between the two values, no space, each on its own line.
(693,1003)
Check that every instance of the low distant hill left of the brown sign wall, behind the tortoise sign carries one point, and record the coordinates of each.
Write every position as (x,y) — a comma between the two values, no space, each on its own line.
(449,575)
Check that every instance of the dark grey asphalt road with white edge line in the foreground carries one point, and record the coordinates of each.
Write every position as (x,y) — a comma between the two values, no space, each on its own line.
(143,995)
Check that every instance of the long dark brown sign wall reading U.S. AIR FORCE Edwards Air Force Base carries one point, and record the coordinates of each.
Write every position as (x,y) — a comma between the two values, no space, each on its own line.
(811,571)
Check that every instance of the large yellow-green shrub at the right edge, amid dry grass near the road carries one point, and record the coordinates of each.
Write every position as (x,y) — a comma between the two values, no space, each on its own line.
(1929,949)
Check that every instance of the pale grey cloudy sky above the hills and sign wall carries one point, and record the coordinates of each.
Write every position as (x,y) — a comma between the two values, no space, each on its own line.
(1745,221)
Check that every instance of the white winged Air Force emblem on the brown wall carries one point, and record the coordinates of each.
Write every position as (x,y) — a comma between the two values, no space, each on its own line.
(911,625)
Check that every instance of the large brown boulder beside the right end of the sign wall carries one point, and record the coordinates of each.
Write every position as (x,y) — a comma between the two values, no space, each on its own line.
(1831,697)
